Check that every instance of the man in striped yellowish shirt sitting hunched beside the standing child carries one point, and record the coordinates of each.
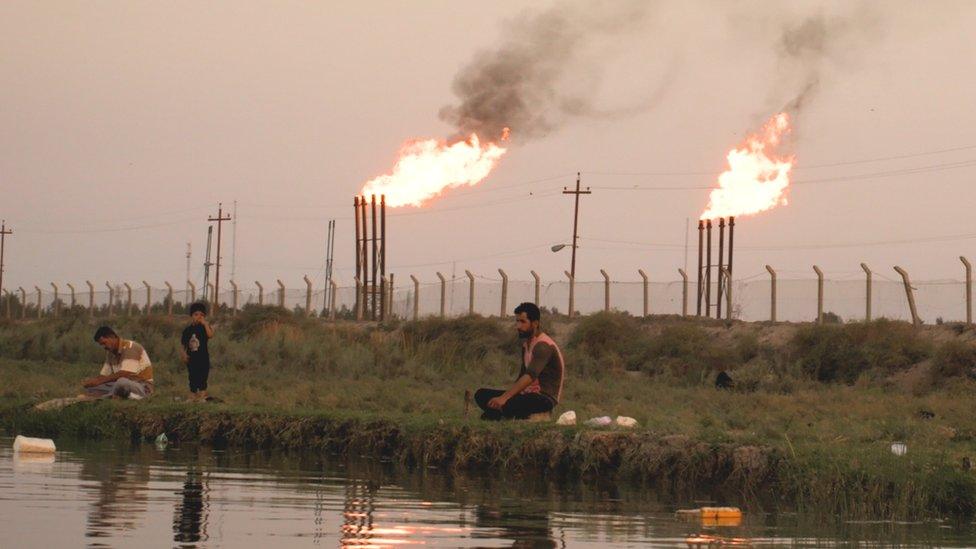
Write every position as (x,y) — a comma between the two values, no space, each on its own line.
(127,372)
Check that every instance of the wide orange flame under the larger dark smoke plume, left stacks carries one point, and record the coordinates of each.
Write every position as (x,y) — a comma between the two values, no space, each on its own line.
(426,168)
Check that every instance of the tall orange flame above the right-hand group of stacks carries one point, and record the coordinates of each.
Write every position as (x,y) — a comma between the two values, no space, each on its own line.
(757,179)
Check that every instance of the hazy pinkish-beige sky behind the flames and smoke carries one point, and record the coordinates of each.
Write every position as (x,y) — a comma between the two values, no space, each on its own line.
(123,124)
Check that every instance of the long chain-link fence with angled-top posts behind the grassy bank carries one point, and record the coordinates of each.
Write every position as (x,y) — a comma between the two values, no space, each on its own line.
(796,299)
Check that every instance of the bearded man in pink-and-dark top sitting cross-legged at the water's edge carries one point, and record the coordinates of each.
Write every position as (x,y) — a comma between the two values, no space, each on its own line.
(540,382)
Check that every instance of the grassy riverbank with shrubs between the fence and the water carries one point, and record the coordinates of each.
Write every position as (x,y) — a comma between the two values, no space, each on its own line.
(808,424)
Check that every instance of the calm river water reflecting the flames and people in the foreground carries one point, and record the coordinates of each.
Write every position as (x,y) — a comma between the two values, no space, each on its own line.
(111,494)
